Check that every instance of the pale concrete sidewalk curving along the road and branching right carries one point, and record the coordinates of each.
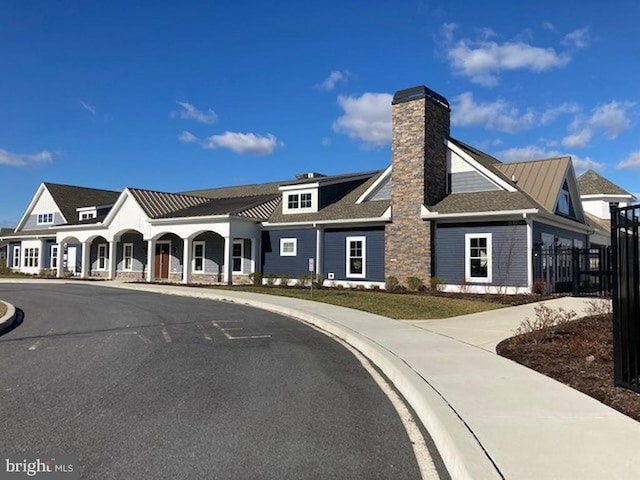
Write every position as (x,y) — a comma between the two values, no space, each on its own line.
(490,418)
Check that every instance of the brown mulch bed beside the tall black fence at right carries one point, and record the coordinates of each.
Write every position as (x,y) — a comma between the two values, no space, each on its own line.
(579,354)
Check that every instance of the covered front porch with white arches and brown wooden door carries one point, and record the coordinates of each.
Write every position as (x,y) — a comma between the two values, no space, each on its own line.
(188,254)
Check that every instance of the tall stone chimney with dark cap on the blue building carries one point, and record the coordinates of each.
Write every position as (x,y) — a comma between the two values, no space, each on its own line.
(420,126)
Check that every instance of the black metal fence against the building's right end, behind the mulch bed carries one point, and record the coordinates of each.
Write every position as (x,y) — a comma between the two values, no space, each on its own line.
(579,271)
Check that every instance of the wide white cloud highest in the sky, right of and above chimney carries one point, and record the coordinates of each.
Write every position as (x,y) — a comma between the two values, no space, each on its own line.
(481,61)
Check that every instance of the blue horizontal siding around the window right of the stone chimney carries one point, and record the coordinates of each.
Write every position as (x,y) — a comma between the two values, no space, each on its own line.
(509,252)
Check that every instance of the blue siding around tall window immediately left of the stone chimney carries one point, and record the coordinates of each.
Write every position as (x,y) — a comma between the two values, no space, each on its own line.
(335,253)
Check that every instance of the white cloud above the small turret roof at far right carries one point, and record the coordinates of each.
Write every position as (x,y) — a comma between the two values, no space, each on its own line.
(612,118)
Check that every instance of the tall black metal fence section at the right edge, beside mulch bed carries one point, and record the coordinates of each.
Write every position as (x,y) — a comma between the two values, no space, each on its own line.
(625,242)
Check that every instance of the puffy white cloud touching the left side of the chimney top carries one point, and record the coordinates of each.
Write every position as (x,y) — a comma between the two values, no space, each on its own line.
(366,119)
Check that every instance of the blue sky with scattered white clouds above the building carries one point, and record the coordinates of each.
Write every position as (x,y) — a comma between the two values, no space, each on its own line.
(175,96)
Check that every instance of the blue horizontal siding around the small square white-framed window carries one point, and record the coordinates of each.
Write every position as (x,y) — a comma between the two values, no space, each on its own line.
(273,263)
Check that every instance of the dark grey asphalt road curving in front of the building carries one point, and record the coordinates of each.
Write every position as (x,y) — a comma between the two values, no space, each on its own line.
(139,385)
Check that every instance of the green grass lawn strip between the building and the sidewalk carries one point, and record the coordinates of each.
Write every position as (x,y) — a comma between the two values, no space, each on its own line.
(400,306)
